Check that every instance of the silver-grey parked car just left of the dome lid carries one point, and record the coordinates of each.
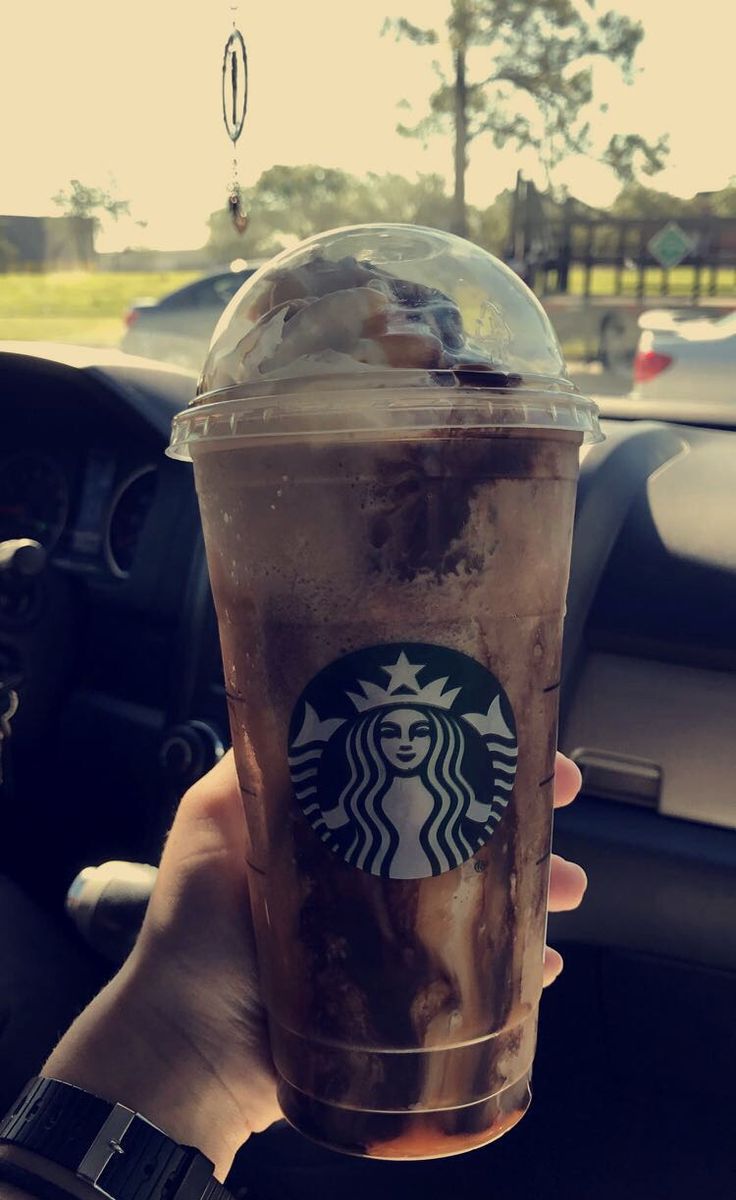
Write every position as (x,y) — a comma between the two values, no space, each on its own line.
(178,327)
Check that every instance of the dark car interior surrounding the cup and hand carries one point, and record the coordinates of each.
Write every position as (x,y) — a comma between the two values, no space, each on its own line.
(111,643)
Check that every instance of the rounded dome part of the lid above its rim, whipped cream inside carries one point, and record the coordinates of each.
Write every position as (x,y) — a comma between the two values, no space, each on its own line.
(381,297)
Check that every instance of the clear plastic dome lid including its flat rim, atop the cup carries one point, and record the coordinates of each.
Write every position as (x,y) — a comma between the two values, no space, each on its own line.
(355,314)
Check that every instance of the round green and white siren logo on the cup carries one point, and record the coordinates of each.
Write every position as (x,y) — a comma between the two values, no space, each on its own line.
(404,758)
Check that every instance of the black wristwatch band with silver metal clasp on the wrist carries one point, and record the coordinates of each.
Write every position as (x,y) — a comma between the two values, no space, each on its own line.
(117,1151)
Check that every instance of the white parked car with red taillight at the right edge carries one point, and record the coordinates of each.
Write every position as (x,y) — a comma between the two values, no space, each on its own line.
(686,359)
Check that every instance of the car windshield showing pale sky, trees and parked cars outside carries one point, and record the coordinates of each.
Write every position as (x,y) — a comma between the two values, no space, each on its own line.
(591,171)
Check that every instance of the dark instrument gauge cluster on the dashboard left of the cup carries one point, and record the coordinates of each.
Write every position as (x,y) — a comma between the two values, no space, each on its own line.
(89,521)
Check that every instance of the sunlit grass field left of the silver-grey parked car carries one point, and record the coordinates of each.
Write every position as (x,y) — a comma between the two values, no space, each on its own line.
(79,307)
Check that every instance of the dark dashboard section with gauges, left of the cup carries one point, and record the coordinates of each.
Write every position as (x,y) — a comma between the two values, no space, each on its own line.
(100,643)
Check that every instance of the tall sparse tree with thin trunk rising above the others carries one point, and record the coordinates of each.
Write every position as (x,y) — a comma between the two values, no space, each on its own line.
(523,73)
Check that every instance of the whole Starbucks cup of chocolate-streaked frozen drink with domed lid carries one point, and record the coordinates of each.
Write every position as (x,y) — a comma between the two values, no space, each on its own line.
(386,457)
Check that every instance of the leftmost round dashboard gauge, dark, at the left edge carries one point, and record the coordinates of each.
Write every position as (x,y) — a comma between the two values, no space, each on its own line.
(34,499)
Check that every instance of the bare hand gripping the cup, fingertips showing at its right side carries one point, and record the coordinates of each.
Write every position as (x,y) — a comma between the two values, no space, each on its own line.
(181,1034)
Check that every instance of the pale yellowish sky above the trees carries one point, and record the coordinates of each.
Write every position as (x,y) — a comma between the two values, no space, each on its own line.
(129,95)
